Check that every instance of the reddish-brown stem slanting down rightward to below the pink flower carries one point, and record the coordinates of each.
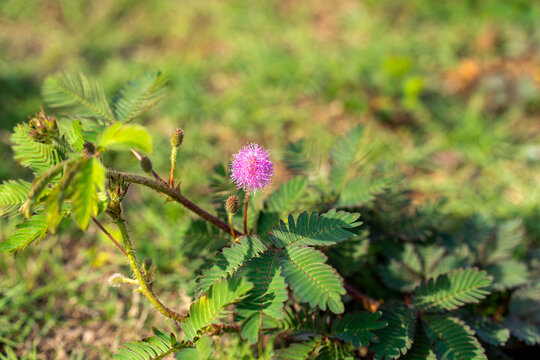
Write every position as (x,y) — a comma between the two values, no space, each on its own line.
(175,195)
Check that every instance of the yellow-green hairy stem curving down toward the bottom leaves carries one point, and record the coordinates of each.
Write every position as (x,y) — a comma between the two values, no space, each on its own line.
(144,287)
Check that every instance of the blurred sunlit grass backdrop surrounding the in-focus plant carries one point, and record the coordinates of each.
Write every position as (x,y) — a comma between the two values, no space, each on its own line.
(448,91)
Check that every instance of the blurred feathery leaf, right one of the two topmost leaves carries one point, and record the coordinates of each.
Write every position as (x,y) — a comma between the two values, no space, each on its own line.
(139,95)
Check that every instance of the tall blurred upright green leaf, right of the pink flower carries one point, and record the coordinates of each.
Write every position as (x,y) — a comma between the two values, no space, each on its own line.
(345,156)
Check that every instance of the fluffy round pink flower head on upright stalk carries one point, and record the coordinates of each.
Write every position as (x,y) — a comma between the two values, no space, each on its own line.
(251,168)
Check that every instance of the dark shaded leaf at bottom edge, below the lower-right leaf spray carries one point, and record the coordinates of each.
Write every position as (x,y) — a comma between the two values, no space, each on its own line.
(396,338)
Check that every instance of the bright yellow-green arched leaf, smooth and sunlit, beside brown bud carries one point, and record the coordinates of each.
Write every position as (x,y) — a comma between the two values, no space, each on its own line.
(121,136)
